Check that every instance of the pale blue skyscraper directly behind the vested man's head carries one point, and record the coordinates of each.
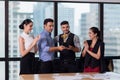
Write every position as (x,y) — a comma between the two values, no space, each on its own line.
(65,13)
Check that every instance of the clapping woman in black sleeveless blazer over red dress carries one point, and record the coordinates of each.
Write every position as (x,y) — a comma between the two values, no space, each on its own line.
(93,51)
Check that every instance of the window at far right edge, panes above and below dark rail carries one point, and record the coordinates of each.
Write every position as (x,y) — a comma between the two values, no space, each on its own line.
(112,32)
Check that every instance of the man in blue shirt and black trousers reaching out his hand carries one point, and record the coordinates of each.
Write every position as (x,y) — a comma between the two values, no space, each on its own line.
(46,47)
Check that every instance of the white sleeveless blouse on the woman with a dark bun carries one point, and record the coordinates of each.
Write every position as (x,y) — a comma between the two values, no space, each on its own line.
(28,38)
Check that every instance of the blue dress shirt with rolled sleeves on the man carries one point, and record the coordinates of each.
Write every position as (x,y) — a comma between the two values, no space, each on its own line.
(44,44)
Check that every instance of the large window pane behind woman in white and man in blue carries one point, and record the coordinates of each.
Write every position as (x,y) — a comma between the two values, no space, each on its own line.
(37,11)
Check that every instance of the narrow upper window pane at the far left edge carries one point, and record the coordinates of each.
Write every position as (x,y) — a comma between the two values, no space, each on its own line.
(2,29)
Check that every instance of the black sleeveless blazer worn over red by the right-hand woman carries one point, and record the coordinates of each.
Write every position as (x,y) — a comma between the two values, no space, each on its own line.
(92,62)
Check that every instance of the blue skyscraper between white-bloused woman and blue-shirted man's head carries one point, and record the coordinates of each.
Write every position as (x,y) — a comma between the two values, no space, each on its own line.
(39,14)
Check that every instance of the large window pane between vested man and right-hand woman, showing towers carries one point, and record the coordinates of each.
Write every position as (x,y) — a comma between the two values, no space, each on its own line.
(81,17)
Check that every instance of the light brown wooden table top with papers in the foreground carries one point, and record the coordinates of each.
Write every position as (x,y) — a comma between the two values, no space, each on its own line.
(59,76)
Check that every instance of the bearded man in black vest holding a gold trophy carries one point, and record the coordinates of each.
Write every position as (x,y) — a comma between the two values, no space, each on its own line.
(72,45)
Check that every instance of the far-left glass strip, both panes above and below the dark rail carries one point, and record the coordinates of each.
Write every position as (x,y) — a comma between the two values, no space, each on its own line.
(2,39)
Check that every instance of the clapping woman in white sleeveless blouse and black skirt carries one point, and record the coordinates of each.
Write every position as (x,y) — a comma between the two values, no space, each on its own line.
(28,48)
